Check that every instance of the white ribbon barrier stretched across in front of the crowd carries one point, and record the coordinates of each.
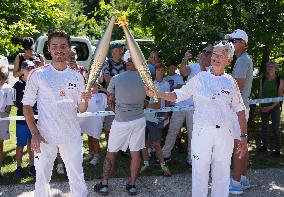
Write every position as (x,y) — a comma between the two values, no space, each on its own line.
(164,109)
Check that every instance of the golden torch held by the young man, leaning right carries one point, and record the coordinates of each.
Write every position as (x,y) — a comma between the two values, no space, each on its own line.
(100,55)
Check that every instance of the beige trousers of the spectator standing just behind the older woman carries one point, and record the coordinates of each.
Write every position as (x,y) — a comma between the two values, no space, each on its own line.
(176,123)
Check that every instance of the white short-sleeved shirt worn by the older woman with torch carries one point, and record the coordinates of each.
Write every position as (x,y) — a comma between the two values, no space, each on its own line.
(214,98)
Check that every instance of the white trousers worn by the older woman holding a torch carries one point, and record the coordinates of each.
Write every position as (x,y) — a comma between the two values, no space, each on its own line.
(211,146)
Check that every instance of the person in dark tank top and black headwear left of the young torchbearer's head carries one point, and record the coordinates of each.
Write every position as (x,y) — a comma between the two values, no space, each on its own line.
(29,53)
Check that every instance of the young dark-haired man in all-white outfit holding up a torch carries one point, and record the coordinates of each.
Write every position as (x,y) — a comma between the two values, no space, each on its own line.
(57,90)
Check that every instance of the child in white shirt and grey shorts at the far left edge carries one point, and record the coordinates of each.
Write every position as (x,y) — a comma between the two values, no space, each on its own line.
(6,101)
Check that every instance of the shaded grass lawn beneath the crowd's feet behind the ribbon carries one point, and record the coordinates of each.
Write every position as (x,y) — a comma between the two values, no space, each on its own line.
(177,165)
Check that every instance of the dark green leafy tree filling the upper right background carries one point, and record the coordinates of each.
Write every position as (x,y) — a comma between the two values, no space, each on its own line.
(177,25)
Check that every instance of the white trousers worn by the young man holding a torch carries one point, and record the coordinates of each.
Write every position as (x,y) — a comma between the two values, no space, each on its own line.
(73,159)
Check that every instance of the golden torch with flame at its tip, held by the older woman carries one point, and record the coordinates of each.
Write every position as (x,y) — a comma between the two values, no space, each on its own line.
(137,57)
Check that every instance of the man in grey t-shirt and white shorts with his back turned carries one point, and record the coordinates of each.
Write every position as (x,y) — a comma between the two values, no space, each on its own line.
(128,127)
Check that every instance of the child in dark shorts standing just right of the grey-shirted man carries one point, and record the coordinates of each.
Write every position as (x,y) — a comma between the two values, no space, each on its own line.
(152,124)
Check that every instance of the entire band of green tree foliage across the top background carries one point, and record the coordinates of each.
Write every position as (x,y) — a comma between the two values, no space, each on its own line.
(176,25)
